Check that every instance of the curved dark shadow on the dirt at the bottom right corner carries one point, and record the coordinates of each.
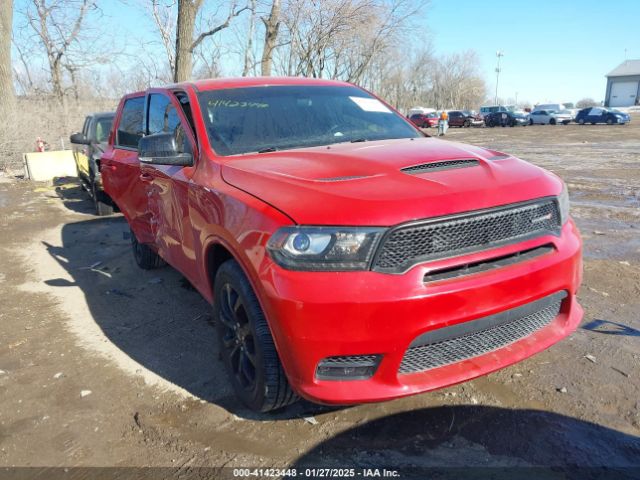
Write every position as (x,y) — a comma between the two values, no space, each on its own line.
(463,441)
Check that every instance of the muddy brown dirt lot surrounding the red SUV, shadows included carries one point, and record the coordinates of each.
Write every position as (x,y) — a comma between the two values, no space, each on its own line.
(106,365)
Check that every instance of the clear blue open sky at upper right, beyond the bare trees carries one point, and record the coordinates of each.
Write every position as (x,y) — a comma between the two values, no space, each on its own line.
(553,50)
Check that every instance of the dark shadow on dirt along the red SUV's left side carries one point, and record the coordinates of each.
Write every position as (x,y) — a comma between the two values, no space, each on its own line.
(154,317)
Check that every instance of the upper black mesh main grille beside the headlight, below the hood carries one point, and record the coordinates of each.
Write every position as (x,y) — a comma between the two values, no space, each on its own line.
(407,245)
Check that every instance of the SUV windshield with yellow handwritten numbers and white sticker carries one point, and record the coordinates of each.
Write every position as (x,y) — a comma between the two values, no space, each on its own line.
(269,118)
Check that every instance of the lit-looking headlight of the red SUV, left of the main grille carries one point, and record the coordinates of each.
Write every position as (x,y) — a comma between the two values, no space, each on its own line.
(324,248)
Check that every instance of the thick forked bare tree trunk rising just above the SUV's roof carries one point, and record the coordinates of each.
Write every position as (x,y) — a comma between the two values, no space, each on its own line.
(185,41)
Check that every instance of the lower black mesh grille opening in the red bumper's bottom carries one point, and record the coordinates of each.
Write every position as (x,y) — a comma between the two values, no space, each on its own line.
(470,339)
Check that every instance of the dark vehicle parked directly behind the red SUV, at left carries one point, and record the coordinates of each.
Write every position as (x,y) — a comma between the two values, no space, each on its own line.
(88,146)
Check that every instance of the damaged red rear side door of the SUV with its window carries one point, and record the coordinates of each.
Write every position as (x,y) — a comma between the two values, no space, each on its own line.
(123,181)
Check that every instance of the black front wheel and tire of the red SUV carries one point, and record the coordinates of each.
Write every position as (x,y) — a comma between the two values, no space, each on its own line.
(246,344)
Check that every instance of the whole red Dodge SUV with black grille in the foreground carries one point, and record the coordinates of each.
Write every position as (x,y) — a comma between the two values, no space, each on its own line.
(348,257)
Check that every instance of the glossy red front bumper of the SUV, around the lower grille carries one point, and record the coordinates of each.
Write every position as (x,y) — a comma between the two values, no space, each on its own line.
(314,315)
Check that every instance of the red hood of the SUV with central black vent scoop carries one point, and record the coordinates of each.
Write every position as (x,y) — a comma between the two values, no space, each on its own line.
(363,184)
